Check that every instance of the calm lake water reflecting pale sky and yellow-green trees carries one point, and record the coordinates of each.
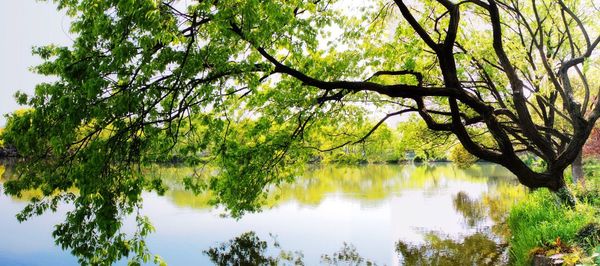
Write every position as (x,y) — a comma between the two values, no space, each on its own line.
(387,214)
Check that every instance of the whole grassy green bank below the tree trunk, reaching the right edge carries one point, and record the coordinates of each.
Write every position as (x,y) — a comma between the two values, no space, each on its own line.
(539,223)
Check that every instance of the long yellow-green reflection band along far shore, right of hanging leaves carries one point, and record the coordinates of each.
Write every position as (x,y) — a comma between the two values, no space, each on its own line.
(373,183)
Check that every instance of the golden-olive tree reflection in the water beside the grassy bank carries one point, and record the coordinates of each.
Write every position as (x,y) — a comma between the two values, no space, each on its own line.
(482,248)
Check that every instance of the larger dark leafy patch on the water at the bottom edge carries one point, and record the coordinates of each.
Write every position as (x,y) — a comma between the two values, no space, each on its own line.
(249,249)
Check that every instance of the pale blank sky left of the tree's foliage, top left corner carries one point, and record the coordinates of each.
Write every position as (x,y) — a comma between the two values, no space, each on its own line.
(24,24)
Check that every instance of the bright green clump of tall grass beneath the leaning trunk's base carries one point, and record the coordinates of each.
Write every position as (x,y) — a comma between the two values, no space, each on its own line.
(539,221)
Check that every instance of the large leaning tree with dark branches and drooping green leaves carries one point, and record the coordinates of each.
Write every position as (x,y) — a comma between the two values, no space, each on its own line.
(249,85)
